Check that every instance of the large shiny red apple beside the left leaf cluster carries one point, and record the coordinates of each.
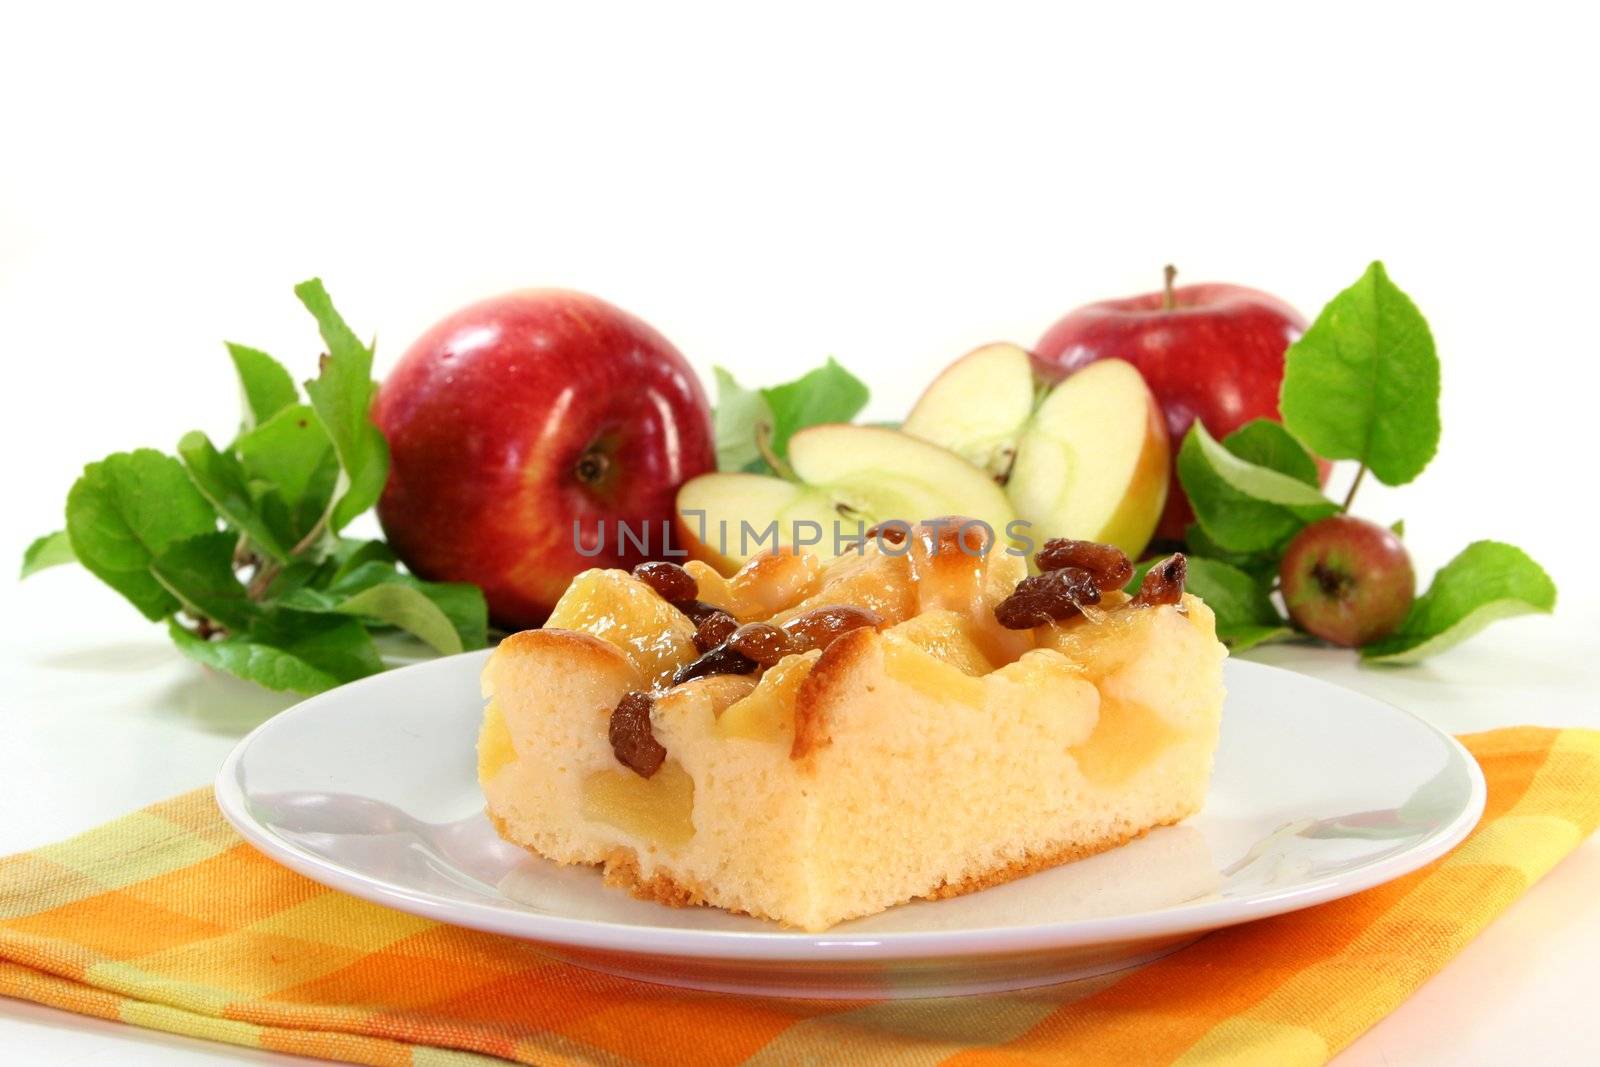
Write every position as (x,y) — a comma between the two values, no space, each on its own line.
(522,417)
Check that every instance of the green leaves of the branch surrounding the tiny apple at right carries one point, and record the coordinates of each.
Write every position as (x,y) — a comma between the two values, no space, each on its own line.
(1361,385)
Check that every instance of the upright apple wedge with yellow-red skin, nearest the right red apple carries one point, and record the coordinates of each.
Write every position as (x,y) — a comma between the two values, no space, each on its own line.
(1095,460)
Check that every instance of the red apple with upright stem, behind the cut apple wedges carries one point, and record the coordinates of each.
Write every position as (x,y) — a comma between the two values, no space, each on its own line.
(1217,356)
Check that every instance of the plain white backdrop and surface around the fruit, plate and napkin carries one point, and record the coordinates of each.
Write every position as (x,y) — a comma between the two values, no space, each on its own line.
(892,186)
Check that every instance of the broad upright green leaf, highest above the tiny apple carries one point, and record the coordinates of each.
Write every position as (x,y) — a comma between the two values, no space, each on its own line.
(1362,383)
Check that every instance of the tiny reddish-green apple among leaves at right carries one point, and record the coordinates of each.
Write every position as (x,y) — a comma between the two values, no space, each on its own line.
(1348,581)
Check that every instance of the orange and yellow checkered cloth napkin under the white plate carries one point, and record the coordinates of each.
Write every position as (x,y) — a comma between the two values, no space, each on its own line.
(166,919)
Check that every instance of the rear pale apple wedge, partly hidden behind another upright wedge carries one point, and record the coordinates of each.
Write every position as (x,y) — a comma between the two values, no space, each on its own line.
(978,407)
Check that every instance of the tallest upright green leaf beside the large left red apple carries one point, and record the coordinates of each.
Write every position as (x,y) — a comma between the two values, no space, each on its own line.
(343,399)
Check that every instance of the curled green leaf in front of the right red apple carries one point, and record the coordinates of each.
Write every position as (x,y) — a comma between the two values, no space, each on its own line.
(1244,506)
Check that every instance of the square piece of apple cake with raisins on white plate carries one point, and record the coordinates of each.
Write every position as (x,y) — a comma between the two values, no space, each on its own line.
(812,743)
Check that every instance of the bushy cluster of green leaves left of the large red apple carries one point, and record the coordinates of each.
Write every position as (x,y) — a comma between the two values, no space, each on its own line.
(239,549)
